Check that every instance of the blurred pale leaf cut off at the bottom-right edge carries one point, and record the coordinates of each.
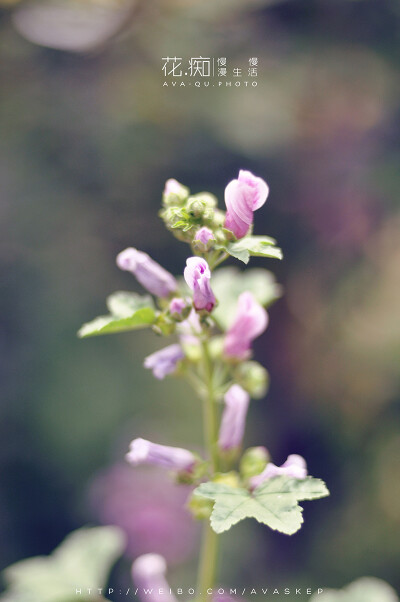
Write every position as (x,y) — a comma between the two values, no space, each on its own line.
(367,589)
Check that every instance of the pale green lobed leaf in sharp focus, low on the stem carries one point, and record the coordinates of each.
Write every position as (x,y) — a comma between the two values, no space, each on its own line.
(274,503)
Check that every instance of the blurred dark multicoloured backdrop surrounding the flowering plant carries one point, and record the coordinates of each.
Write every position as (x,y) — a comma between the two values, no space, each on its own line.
(89,136)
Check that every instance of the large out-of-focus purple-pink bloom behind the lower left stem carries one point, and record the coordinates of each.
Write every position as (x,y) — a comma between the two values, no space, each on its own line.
(149,508)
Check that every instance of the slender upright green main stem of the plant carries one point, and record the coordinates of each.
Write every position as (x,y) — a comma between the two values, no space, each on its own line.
(209,548)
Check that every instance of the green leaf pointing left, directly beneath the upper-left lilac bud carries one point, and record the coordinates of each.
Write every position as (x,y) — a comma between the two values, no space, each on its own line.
(129,311)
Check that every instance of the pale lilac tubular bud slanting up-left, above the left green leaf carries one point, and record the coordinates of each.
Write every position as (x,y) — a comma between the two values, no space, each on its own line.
(149,273)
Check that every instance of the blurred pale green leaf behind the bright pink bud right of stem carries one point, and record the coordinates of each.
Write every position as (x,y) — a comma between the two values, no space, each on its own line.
(228,283)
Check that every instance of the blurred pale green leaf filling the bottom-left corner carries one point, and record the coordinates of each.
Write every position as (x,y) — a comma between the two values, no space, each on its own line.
(83,560)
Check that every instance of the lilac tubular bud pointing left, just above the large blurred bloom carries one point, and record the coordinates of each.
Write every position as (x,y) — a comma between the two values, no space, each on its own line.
(142,451)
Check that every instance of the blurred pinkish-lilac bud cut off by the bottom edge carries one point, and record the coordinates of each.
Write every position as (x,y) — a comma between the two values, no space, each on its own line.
(148,574)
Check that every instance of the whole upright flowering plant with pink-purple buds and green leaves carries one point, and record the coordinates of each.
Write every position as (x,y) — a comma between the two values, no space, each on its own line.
(215,317)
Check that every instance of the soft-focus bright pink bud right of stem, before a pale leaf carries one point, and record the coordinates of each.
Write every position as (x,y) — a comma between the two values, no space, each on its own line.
(251,320)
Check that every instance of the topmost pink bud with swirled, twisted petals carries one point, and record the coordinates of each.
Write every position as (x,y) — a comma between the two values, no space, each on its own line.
(242,197)
